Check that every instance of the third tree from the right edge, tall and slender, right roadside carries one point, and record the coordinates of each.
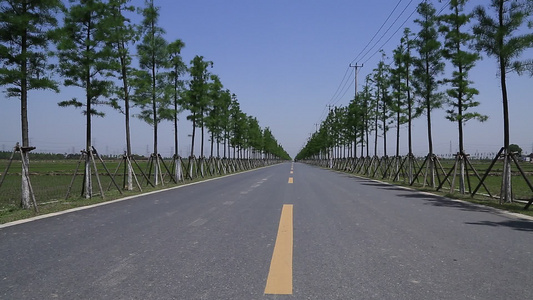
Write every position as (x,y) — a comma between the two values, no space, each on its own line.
(427,67)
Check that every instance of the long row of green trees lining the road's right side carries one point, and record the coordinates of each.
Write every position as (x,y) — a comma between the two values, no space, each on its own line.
(412,85)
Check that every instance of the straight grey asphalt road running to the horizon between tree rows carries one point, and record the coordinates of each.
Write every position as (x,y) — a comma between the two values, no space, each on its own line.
(352,239)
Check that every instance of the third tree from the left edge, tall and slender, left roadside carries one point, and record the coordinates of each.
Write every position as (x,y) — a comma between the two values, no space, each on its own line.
(122,34)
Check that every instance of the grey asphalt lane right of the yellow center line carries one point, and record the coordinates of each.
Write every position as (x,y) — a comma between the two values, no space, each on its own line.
(358,239)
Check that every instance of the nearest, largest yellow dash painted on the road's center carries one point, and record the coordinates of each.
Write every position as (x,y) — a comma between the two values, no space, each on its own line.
(279,280)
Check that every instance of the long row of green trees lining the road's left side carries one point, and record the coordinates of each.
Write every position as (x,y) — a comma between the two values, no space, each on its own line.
(94,49)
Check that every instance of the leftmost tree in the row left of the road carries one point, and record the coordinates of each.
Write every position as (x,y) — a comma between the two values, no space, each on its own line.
(25,33)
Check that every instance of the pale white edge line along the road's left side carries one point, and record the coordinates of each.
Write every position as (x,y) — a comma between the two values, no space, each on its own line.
(18,222)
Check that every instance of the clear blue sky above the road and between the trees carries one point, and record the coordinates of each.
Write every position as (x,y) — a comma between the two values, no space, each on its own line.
(285,61)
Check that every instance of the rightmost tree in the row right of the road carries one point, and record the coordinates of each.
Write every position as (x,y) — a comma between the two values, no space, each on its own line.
(498,36)
